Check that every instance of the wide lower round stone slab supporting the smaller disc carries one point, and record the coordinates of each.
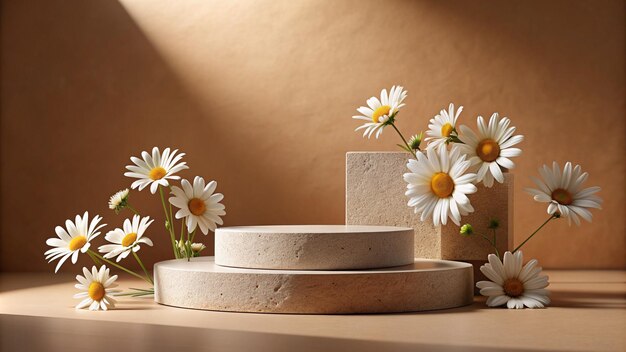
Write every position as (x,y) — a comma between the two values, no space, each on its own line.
(423,285)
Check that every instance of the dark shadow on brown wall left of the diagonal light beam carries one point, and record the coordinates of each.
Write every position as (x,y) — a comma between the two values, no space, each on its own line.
(82,90)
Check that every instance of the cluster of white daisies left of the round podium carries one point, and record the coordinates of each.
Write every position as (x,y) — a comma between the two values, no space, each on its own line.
(198,207)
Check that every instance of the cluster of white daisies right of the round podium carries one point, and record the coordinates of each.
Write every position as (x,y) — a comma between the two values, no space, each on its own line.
(455,160)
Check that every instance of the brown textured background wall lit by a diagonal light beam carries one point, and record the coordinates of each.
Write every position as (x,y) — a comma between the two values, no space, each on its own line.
(259,94)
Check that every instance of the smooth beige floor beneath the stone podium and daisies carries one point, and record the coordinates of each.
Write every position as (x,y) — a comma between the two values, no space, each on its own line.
(588,314)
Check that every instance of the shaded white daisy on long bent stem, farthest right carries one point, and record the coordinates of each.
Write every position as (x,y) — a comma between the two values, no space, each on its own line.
(564,192)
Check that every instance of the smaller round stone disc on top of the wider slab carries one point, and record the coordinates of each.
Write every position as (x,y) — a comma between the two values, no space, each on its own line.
(314,247)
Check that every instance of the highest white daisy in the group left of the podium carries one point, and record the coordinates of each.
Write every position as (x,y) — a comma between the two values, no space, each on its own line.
(155,169)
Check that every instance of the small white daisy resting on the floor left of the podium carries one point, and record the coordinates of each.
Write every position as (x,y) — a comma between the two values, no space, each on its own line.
(97,286)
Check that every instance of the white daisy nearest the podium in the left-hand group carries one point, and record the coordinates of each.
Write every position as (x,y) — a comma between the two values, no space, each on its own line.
(198,204)
